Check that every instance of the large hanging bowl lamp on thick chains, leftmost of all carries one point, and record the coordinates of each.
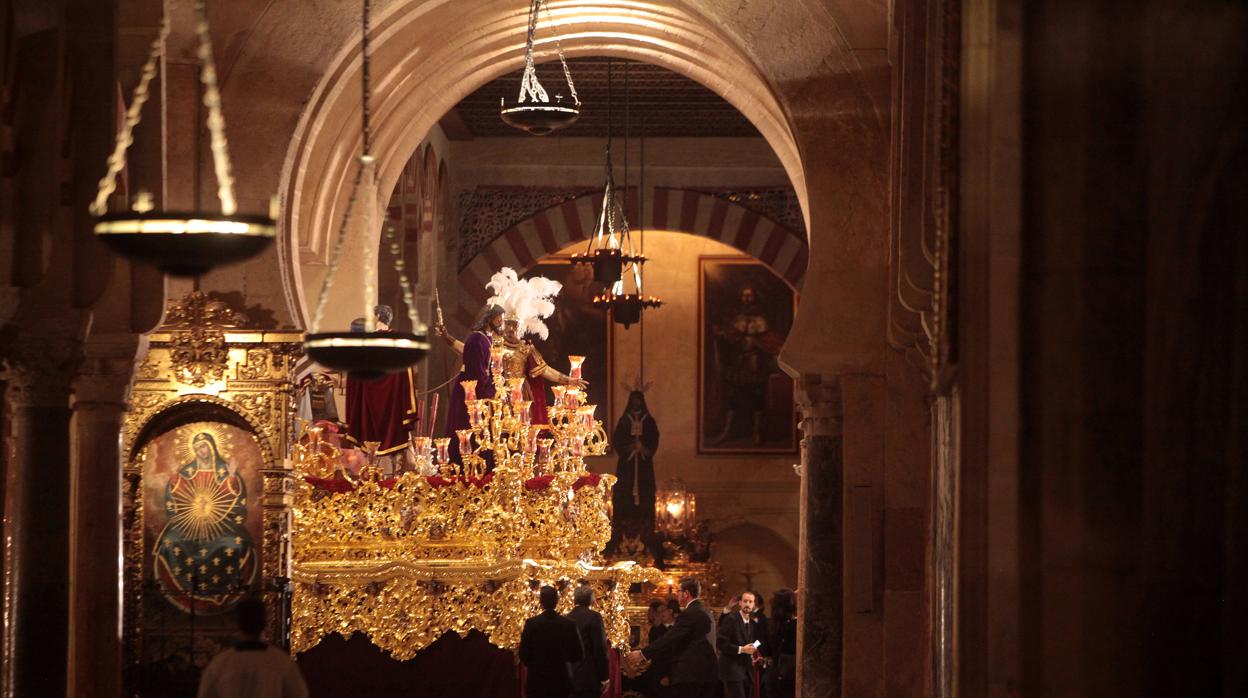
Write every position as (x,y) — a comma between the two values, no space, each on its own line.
(180,243)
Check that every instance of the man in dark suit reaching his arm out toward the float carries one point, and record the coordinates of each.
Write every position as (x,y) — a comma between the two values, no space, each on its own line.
(690,640)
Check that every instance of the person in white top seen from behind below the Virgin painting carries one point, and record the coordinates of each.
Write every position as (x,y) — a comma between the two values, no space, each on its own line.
(253,669)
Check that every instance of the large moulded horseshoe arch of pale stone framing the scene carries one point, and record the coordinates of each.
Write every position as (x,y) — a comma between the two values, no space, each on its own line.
(430,56)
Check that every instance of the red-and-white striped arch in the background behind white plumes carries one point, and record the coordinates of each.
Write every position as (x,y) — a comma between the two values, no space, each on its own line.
(685,210)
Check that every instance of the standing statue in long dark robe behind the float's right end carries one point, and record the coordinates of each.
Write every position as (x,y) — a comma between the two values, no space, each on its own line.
(636,439)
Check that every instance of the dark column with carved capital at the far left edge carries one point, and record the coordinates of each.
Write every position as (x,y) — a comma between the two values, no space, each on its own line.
(37,516)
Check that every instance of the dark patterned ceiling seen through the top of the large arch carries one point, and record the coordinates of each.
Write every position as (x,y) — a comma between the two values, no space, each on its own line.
(667,104)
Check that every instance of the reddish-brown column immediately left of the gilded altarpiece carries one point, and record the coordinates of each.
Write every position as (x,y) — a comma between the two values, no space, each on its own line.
(100,396)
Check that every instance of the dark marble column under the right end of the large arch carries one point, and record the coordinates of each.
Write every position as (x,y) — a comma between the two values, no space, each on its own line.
(821,558)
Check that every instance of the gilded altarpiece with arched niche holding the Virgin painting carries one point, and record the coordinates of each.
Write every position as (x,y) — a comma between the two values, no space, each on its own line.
(208,494)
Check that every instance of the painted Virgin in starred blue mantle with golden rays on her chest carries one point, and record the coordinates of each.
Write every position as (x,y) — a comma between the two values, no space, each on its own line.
(204,556)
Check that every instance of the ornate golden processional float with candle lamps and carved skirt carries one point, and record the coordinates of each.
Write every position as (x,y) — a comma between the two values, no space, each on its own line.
(454,548)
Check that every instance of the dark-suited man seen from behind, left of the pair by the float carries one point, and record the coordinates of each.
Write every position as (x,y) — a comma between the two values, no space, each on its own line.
(550,644)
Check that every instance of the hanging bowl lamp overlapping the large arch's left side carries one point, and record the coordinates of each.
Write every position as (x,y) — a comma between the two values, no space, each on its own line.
(373,353)
